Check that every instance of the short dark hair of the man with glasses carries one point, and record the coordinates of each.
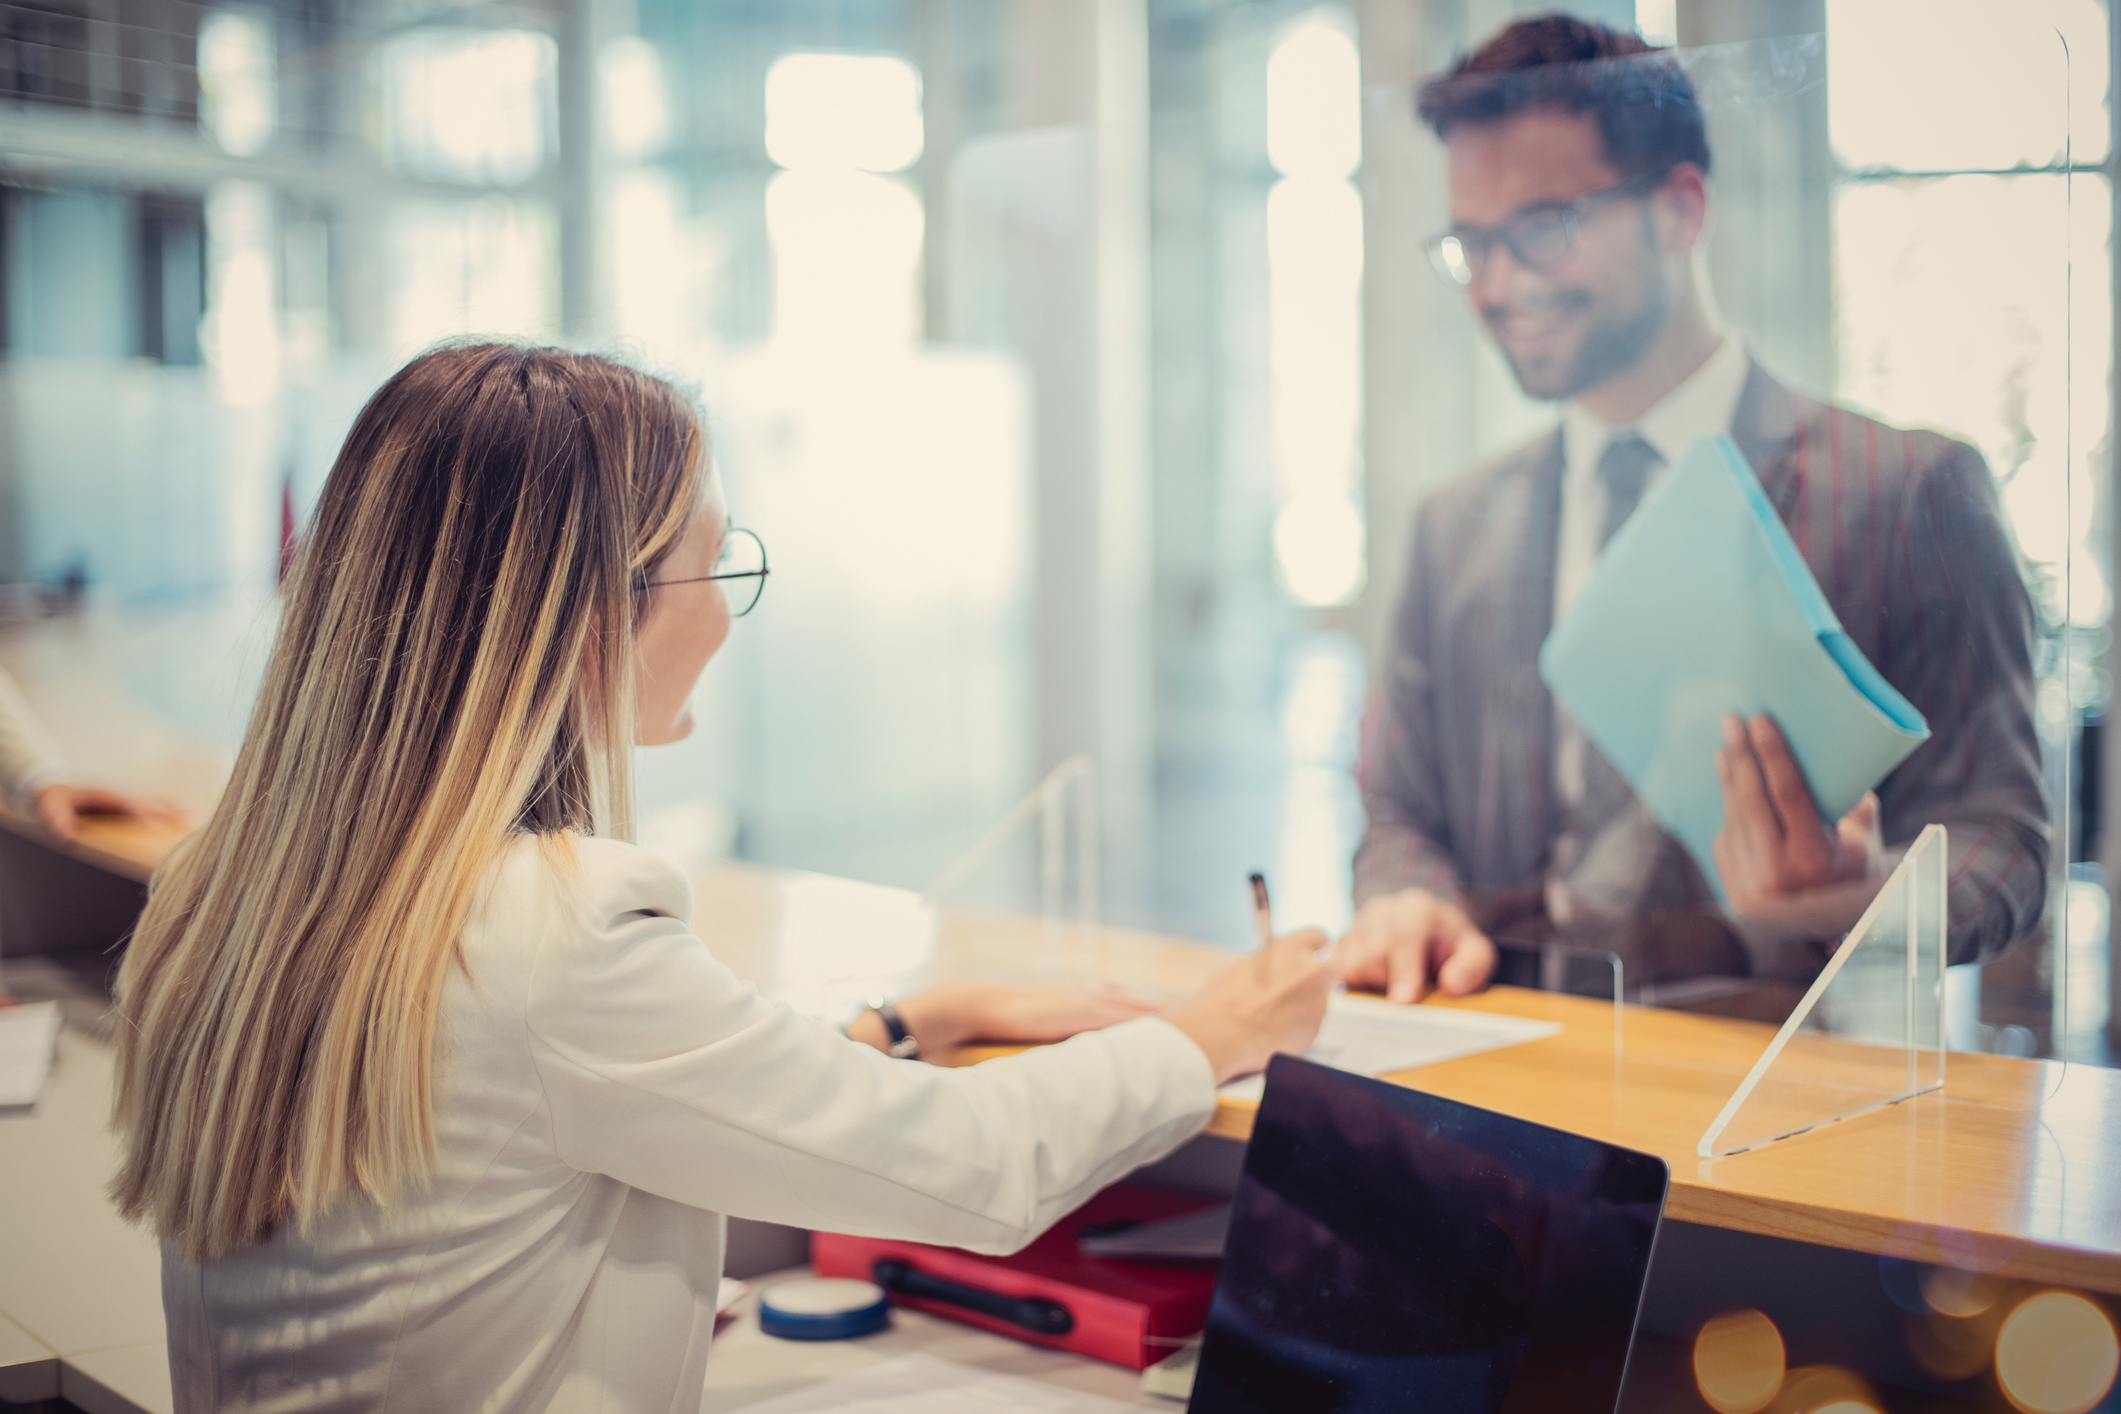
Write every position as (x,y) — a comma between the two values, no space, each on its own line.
(1641,96)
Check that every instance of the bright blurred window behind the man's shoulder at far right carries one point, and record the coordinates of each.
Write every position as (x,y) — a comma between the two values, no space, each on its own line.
(1974,285)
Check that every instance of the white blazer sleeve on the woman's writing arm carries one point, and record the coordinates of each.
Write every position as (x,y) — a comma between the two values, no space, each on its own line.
(669,1074)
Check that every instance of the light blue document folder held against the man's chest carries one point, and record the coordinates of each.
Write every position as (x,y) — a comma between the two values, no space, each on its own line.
(1700,607)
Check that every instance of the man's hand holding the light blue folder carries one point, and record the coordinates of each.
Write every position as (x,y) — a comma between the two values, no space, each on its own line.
(1778,860)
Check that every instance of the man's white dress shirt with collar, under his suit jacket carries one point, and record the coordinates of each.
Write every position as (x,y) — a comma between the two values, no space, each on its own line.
(1702,406)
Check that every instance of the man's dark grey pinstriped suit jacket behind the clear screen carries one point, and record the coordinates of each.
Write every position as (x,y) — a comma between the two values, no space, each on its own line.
(1901,531)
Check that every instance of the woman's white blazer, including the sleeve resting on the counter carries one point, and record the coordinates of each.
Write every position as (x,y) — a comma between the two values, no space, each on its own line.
(608,1091)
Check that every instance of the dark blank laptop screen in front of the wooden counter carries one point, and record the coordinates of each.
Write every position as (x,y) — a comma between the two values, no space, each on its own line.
(1399,1252)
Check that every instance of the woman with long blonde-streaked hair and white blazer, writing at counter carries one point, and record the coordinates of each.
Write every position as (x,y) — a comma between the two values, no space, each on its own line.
(425,1084)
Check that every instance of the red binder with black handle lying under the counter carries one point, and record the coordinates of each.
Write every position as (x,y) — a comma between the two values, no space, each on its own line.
(1129,1313)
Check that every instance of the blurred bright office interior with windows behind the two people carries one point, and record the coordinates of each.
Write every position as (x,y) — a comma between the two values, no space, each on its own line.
(1074,359)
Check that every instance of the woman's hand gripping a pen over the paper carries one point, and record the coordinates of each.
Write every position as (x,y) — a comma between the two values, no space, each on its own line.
(1269,1002)
